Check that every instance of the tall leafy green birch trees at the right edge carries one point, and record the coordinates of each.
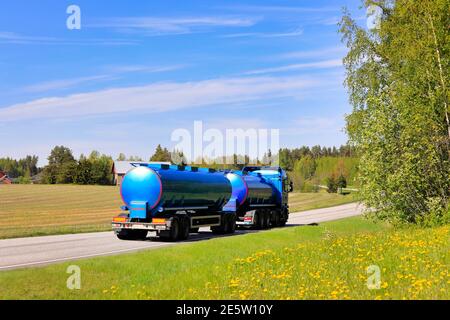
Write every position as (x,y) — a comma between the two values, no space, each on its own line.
(397,76)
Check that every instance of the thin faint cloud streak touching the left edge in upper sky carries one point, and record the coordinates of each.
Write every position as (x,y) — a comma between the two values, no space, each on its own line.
(20,39)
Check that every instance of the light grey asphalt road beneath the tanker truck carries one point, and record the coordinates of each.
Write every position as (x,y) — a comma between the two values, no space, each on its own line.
(36,251)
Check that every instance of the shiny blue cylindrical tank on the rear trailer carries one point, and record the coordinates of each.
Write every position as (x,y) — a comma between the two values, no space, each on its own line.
(176,188)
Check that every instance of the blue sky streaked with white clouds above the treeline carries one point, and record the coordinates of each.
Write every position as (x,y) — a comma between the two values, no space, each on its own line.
(137,70)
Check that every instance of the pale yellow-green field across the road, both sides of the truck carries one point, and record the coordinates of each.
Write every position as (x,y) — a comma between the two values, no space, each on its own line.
(33,210)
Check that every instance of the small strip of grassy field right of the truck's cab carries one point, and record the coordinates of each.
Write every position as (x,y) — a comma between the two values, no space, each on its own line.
(307,201)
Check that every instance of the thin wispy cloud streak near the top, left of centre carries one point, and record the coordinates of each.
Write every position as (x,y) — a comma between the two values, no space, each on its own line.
(172,26)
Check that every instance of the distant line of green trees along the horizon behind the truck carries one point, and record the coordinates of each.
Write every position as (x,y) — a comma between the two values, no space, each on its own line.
(307,167)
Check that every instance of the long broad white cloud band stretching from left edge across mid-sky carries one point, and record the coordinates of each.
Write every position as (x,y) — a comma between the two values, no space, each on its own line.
(158,97)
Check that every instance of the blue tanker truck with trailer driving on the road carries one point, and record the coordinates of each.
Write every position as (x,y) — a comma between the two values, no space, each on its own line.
(176,200)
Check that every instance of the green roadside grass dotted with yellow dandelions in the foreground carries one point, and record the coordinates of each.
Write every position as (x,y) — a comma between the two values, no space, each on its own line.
(328,261)
